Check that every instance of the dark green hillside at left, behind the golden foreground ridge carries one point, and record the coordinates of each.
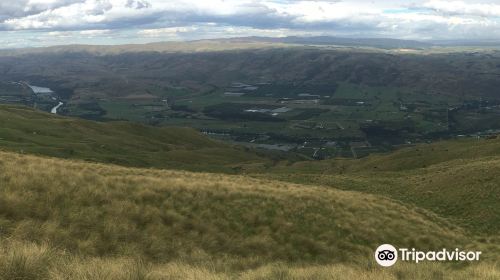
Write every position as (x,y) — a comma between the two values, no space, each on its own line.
(28,131)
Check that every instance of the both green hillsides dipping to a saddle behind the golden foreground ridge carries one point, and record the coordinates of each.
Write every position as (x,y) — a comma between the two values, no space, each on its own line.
(419,175)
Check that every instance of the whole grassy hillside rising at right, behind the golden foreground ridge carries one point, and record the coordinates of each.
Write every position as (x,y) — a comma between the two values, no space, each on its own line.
(456,179)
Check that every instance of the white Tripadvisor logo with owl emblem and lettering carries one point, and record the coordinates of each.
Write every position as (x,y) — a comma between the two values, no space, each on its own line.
(387,255)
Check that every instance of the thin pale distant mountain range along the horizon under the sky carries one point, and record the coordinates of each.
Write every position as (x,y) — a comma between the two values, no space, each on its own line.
(258,42)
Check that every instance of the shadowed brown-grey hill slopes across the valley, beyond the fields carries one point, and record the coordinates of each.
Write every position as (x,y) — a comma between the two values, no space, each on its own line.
(87,74)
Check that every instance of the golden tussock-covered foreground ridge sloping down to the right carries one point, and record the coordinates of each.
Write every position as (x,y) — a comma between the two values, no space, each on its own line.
(190,222)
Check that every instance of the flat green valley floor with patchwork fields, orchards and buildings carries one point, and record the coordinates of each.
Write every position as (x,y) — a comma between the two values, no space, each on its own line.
(271,115)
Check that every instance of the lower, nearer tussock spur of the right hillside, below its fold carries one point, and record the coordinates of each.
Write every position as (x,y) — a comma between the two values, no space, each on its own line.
(464,191)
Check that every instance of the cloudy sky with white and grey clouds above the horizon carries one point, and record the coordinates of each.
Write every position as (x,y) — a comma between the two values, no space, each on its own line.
(30,23)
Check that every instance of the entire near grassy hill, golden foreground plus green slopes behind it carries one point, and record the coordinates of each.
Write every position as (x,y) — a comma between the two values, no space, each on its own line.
(77,219)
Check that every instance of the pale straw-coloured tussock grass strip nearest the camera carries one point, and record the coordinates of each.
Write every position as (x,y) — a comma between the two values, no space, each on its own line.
(25,261)
